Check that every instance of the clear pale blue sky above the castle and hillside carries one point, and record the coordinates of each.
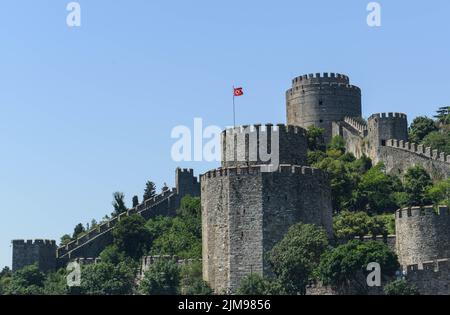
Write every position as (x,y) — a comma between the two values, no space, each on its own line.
(86,112)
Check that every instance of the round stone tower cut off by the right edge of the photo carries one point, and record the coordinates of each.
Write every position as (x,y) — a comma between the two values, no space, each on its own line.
(422,235)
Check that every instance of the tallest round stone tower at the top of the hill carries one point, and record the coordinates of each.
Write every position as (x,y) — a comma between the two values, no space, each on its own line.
(319,100)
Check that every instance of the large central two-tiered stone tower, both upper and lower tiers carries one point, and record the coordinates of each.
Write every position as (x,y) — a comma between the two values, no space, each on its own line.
(246,209)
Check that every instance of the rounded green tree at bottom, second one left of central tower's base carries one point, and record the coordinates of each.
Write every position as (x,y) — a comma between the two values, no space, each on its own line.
(162,278)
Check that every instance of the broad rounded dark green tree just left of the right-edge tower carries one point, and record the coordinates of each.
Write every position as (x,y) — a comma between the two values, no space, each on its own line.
(344,267)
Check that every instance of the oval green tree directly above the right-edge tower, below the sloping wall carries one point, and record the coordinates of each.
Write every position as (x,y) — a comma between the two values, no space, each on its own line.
(417,182)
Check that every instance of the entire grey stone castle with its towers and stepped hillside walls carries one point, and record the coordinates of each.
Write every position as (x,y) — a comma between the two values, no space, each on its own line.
(248,205)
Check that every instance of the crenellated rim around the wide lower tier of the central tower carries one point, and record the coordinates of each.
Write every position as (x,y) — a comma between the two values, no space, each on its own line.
(252,170)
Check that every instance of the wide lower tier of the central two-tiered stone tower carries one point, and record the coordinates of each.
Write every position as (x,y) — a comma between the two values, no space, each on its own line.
(246,211)
